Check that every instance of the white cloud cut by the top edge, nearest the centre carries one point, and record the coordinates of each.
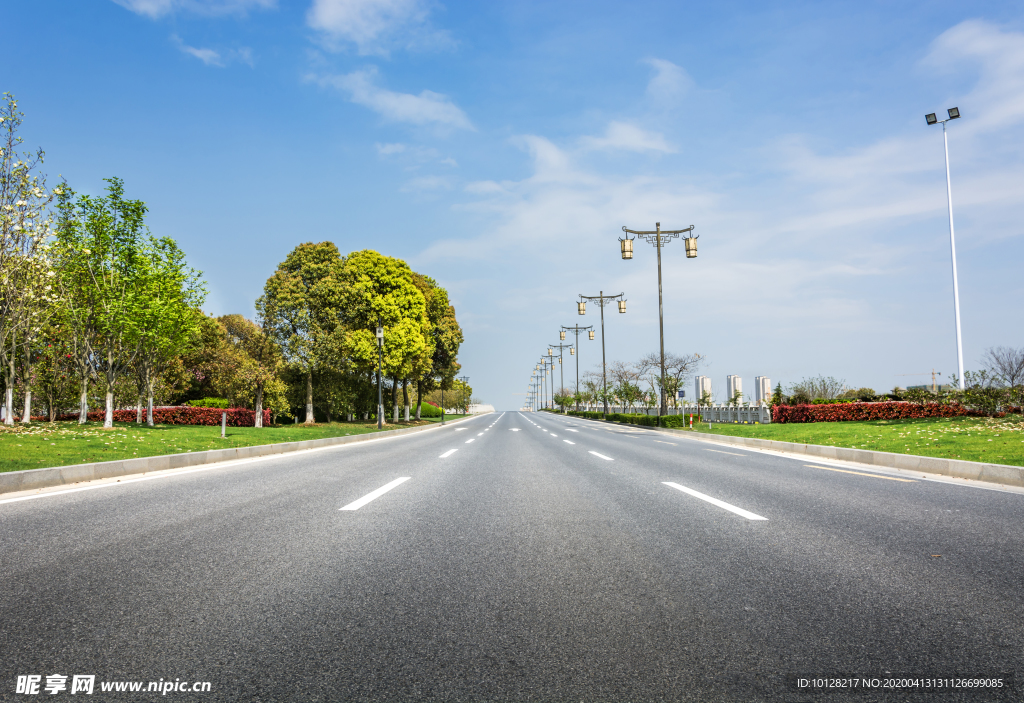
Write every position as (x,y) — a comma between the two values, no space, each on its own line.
(374,25)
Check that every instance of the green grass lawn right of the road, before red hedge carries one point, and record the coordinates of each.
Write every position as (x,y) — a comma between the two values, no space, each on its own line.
(973,440)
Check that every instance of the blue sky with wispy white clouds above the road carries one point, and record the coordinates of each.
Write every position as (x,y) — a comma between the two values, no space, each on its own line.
(501,147)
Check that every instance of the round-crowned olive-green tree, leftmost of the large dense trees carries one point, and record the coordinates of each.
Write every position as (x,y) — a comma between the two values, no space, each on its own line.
(301,310)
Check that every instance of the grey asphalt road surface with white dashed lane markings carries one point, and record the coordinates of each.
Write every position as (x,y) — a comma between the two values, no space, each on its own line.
(518,557)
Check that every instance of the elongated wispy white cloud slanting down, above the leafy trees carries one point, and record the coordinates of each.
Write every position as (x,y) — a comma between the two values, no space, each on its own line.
(426,109)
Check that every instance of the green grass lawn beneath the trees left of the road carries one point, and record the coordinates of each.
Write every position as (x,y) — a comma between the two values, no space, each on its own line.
(58,445)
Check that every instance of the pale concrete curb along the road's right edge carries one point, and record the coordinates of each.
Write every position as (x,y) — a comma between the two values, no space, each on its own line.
(976,471)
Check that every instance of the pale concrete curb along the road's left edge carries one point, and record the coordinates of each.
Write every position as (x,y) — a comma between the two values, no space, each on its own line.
(33,479)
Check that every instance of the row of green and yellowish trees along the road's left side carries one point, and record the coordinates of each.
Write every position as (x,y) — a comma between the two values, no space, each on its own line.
(97,311)
